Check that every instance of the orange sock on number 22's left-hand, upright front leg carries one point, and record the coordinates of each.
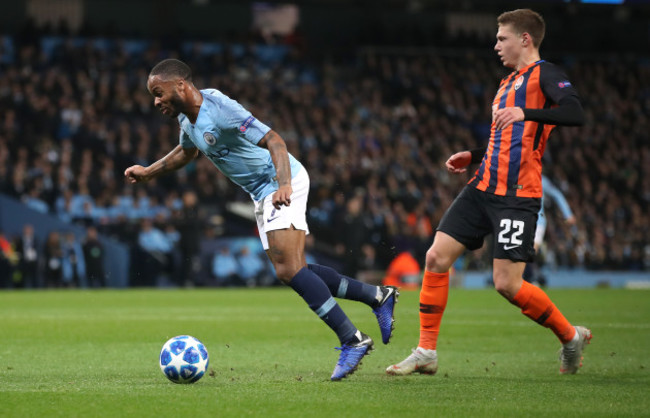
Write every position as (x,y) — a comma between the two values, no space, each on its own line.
(433,300)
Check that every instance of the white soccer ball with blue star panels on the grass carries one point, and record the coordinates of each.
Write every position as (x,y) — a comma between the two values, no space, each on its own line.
(184,359)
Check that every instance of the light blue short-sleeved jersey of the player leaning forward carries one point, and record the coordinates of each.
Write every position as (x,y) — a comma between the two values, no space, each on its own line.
(228,135)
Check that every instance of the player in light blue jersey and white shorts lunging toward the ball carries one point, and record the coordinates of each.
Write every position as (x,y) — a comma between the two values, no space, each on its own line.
(255,157)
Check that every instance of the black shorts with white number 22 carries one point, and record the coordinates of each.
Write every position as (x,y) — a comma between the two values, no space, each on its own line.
(475,214)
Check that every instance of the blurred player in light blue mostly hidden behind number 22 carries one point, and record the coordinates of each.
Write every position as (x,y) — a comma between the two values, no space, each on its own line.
(552,192)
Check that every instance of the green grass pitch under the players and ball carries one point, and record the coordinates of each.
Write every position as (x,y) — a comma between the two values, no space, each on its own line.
(95,353)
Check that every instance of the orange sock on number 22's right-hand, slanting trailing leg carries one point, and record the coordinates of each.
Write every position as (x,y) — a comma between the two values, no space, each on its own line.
(536,305)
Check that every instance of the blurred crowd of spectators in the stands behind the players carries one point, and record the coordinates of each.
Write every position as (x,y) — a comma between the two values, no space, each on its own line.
(373,132)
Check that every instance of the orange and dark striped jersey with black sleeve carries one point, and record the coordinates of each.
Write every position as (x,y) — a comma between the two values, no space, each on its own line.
(512,164)
